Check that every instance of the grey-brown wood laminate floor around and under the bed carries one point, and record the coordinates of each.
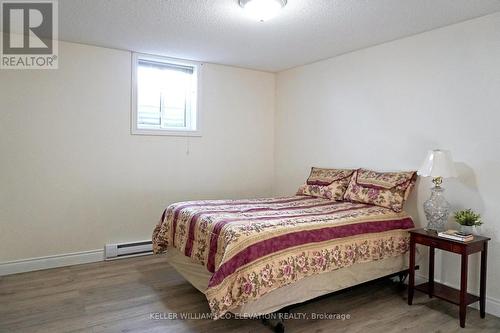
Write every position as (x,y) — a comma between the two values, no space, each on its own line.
(120,296)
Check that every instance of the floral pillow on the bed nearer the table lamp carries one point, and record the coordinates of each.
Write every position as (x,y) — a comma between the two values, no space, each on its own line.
(385,189)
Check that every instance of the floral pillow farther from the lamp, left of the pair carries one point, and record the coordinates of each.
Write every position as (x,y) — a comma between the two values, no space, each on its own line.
(326,183)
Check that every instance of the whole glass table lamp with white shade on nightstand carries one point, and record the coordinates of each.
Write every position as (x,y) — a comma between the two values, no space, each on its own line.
(438,164)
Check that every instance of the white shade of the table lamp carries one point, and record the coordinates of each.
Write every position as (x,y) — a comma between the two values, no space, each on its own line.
(438,163)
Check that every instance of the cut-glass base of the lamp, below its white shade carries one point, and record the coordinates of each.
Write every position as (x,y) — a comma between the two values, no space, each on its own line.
(437,210)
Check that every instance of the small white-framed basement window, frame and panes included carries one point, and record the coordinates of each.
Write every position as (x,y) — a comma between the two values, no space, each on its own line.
(164,96)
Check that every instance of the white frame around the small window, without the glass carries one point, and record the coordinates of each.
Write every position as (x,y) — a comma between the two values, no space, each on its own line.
(134,100)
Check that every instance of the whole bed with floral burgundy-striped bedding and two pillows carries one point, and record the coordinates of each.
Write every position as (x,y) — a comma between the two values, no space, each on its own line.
(256,256)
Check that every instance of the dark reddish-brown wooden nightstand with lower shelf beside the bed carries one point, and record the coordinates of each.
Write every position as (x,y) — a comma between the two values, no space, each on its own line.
(460,297)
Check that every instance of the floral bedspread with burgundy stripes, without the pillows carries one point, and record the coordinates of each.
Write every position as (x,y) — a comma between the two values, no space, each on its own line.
(255,246)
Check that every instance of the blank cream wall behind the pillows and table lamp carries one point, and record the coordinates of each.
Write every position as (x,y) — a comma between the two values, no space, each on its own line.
(385,106)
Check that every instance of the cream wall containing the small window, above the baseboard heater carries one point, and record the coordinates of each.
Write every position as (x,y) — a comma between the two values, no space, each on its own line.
(73,178)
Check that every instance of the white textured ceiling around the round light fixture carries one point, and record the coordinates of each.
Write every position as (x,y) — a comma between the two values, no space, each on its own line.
(218,31)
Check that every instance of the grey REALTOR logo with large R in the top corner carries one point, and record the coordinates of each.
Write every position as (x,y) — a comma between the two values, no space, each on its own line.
(29,38)
